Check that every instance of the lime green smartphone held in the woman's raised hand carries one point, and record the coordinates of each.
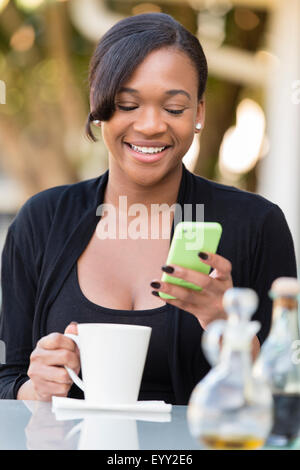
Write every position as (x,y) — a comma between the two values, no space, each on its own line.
(190,238)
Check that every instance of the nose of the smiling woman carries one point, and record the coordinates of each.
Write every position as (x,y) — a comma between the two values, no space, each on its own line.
(150,122)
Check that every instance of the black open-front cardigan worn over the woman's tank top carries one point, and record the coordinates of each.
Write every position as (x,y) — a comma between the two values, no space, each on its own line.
(54,227)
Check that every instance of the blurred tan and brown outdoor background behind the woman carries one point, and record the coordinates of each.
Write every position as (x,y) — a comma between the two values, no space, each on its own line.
(252,133)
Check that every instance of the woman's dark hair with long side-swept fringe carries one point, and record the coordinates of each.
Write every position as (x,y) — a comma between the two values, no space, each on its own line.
(124,46)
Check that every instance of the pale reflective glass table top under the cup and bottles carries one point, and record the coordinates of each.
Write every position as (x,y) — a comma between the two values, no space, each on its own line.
(33,425)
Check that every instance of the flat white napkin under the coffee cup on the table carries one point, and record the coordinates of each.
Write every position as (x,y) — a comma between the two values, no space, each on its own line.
(139,406)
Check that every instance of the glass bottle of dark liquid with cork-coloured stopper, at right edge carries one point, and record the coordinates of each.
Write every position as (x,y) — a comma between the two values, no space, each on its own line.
(279,362)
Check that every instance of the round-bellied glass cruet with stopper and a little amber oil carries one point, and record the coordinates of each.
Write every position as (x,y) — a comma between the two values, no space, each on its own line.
(229,408)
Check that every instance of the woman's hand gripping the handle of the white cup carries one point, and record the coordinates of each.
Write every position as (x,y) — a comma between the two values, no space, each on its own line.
(48,376)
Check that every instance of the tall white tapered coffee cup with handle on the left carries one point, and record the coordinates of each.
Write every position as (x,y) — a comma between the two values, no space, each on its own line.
(112,360)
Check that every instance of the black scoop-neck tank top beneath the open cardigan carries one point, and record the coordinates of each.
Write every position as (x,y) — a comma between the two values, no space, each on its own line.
(156,381)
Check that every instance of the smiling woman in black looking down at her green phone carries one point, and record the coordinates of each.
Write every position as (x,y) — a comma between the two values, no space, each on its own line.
(147,80)
